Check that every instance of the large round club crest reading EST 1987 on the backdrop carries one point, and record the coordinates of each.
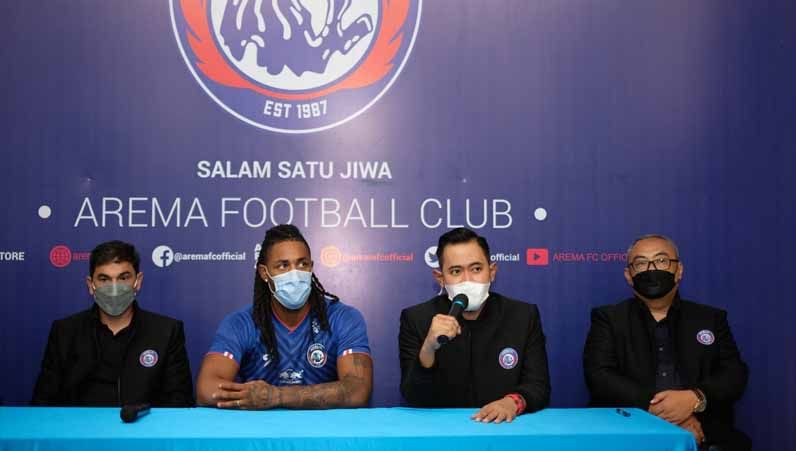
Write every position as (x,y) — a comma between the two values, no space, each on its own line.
(295,66)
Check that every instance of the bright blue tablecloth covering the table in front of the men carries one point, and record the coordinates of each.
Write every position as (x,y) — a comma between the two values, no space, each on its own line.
(200,429)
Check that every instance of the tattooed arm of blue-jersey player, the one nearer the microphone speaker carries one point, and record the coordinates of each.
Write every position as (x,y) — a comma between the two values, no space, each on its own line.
(352,389)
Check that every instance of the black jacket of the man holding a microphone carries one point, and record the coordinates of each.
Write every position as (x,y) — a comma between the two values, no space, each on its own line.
(467,371)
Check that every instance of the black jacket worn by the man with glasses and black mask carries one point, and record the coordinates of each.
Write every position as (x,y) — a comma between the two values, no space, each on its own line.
(619,360)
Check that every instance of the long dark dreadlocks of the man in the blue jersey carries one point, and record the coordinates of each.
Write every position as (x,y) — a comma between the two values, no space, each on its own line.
(262,313)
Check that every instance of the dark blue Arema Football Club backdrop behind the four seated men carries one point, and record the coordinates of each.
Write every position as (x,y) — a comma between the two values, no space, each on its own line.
(560,130)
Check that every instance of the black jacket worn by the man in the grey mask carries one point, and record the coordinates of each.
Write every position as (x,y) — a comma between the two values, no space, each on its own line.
(72,354)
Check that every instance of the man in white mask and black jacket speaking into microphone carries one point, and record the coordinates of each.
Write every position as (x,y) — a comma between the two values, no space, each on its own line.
(495,360)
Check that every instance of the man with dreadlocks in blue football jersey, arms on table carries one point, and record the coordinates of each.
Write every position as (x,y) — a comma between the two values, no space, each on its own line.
(296,347)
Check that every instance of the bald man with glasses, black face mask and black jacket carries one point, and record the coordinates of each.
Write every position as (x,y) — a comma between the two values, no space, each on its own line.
(674,358)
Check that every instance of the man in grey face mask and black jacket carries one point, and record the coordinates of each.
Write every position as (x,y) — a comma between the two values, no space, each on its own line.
(115,353)
